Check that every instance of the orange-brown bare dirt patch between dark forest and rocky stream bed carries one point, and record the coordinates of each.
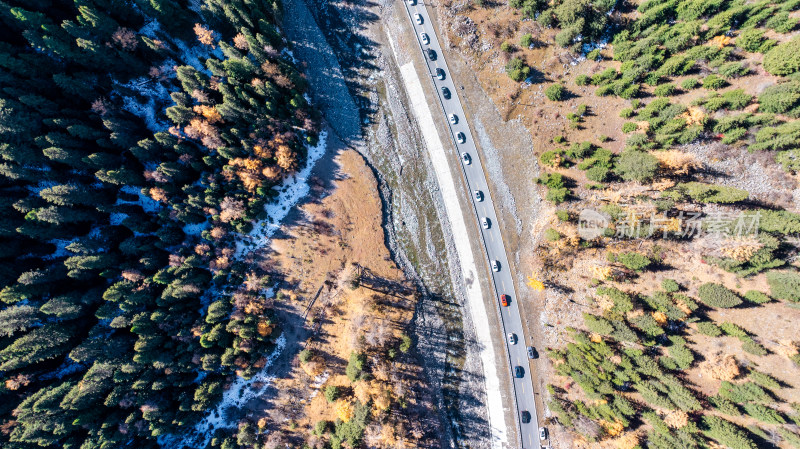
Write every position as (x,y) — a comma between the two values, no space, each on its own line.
(338,232)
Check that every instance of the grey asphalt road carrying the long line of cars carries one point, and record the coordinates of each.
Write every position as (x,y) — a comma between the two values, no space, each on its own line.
(484,210)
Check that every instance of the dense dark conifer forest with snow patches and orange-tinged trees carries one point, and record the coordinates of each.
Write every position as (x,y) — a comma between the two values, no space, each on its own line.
(137,138)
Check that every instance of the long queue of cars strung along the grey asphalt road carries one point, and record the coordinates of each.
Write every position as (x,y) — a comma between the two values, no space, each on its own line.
(466,159)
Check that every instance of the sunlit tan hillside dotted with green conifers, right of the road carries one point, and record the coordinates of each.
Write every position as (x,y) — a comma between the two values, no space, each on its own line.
(671,347)
